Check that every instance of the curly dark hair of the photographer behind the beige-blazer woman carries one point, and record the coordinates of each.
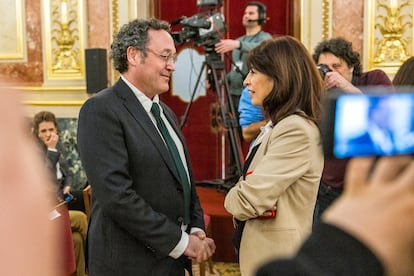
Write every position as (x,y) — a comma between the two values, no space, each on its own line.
(340,48)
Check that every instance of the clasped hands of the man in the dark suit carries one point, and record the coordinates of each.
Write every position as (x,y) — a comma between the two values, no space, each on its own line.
(200,247)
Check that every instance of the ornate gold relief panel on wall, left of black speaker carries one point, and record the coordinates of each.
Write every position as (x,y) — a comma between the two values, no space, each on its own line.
(64,41)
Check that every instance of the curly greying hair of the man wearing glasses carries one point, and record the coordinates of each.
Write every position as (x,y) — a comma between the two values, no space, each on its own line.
(135,34)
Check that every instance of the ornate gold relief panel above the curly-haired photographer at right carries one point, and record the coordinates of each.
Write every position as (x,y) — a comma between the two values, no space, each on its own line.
(388,34)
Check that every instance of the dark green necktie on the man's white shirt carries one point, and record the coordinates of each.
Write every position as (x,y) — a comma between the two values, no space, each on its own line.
(172,148)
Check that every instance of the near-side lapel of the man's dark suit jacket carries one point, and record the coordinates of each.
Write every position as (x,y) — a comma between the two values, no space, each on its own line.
(135,108)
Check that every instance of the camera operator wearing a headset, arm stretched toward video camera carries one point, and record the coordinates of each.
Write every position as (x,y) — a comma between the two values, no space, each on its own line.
(253,19)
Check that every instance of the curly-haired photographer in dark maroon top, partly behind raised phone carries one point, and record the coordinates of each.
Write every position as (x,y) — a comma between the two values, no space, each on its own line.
(345,73)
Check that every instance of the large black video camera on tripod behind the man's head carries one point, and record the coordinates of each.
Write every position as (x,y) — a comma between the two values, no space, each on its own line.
(203,29)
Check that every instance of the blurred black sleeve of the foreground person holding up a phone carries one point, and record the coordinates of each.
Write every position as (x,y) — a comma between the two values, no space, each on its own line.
(329,251)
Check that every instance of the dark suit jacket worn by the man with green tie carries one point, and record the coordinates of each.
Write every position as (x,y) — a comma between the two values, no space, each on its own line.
(137,204)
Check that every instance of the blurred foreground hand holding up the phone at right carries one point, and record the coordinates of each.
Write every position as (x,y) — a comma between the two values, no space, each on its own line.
(377,207)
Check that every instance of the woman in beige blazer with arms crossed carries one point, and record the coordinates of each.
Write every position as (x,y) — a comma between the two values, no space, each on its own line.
(276,195)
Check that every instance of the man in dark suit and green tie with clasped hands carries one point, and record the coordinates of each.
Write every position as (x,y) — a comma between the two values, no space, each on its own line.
(140,223)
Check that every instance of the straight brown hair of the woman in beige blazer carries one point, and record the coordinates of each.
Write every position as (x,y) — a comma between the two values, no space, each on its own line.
(298,87)
